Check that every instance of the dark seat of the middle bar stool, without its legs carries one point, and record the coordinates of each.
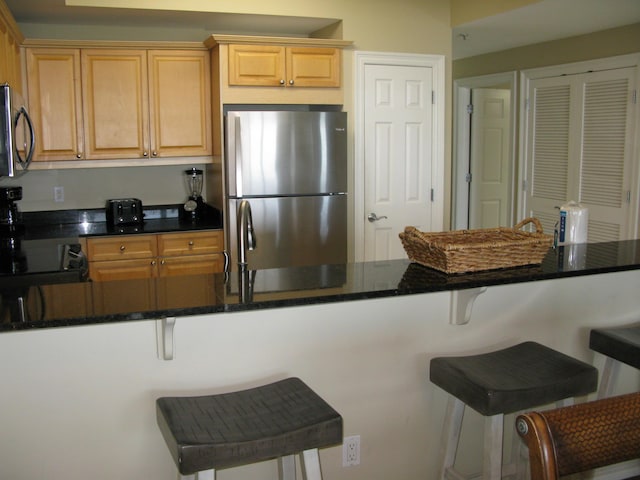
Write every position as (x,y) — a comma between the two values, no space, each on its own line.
(513,379)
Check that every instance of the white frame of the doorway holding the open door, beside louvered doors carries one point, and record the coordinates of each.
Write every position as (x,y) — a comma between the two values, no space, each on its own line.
(462,139)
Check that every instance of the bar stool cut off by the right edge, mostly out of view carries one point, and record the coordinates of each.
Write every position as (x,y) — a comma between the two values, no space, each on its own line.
(620,345)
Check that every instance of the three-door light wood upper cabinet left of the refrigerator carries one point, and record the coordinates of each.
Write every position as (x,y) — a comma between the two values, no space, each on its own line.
(126,103)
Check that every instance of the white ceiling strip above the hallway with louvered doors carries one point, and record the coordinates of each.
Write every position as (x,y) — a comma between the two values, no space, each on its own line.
(541,22)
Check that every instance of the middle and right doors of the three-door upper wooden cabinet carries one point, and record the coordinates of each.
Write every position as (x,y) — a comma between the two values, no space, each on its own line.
(141,104)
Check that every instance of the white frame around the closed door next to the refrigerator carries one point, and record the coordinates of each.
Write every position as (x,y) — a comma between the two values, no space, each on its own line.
(437,64)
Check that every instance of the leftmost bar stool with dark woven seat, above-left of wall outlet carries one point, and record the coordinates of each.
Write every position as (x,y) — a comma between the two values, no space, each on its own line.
(278,420)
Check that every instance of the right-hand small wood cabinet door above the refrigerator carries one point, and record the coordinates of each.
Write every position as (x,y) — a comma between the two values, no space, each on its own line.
(313,67)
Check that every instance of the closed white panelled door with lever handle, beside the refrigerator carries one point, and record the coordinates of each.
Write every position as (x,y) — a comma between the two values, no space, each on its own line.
(398,156)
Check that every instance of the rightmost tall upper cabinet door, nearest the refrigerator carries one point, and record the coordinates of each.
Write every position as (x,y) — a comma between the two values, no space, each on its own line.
(180,103)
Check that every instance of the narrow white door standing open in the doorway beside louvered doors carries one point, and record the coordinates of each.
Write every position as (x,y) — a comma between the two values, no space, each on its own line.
(490,160)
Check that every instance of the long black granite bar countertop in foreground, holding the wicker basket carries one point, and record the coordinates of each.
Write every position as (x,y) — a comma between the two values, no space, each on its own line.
(101,302)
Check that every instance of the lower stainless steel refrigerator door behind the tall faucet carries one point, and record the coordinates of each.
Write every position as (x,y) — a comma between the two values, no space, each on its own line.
(293,231)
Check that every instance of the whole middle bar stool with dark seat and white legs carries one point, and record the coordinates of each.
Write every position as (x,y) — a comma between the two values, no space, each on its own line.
(505,381)
